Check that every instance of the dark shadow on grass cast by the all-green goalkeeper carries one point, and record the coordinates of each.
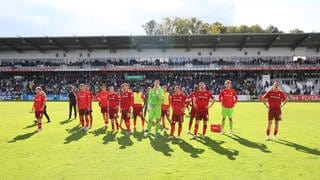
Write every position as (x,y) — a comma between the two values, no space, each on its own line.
(159,143)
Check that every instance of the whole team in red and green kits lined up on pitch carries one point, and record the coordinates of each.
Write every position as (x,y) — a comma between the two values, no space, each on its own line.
(157,103)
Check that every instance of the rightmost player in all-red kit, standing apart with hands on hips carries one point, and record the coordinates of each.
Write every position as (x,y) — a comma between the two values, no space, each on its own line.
(274,100)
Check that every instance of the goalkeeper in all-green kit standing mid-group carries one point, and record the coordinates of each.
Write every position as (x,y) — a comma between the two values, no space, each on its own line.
(154,107)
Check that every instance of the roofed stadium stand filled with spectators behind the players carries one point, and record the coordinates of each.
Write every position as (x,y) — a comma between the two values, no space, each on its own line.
(252,61)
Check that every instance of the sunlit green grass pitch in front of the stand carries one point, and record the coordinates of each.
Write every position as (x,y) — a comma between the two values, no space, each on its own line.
(62,151)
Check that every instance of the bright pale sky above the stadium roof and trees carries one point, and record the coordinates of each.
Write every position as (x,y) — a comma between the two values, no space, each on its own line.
(125,17)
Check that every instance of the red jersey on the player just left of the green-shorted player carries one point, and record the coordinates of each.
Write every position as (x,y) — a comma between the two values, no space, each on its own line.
(202,99)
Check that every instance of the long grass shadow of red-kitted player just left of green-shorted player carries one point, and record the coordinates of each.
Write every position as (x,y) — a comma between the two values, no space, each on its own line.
(216,147)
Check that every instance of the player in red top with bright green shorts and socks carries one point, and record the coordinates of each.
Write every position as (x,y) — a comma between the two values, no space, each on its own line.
(228,98)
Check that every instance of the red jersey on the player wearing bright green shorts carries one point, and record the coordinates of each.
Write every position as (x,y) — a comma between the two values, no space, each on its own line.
(228,98)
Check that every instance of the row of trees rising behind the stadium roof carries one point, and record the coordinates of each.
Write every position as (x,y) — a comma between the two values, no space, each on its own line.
(178,25)
